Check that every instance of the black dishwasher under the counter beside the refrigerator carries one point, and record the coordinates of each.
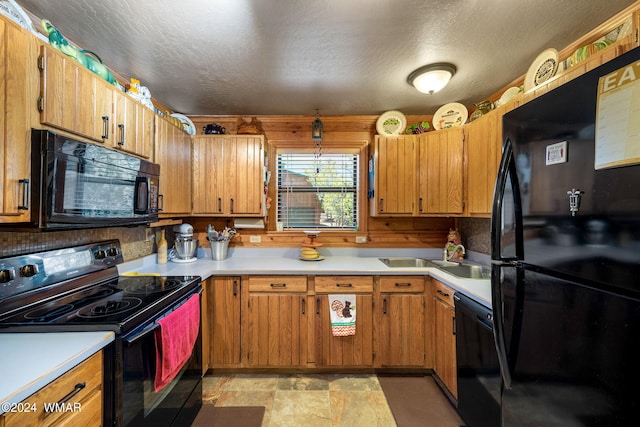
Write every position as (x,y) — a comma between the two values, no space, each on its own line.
(478,371)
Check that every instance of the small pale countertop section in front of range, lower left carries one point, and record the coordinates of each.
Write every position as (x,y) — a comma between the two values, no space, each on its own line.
(30,361)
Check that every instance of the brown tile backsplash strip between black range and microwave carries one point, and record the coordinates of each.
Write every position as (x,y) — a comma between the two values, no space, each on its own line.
(132,239)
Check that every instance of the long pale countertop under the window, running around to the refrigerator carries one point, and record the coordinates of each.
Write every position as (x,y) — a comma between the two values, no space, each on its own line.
(337,261)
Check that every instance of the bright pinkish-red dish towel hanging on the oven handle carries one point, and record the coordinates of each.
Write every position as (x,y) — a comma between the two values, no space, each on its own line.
(175,340)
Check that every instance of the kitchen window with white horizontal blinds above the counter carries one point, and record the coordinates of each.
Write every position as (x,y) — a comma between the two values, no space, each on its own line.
(318,190)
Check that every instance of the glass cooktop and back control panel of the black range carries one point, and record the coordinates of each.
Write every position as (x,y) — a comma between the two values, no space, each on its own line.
(78,289)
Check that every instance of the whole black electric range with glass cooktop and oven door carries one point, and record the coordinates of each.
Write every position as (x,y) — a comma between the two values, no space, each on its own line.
(79,289)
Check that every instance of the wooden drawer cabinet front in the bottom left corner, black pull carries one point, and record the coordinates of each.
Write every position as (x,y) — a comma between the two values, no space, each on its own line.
(78,405)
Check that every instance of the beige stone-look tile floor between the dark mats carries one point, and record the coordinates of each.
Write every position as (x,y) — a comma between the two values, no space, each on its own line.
(316,400)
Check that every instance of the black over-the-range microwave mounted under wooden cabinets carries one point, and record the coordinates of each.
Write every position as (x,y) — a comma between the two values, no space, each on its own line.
(75,184)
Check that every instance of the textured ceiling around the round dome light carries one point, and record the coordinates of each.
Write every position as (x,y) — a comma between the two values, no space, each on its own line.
(342,57)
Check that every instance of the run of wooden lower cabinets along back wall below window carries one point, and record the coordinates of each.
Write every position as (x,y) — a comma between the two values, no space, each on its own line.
(284,321)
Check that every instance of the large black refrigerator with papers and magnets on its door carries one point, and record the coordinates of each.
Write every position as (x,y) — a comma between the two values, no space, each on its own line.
(565,247)
